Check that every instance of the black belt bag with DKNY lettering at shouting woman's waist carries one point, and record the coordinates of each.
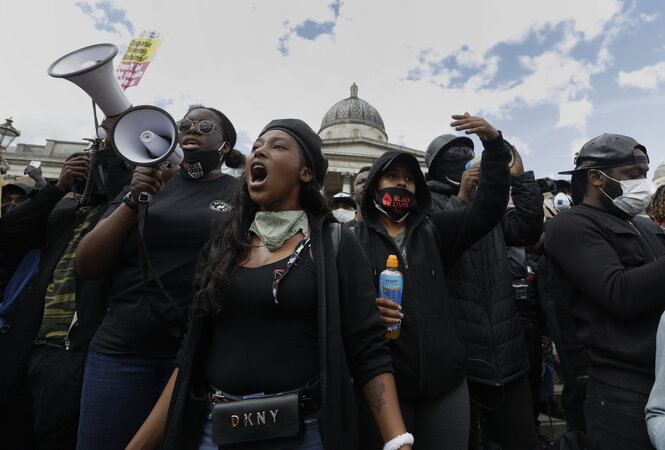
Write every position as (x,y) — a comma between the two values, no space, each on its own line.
(259,422)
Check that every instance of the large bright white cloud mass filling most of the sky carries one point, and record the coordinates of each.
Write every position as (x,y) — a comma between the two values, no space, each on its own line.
(225,54)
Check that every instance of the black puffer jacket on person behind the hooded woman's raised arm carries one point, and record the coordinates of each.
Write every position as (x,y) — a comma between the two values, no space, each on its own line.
(482,284)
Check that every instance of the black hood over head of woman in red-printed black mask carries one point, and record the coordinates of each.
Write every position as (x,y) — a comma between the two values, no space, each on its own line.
(423,197)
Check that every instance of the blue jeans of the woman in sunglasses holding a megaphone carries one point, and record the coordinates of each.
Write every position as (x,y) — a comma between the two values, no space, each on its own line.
(119,391)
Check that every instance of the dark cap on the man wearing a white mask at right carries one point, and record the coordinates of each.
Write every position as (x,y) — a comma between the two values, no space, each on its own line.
(606,151)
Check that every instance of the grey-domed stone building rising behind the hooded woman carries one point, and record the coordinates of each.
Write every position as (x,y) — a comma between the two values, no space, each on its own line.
(354,136)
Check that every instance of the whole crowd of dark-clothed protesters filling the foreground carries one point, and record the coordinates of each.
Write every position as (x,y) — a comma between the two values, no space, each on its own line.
(184,307)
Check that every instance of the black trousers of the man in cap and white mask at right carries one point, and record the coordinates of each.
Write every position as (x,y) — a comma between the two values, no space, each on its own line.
(615,418)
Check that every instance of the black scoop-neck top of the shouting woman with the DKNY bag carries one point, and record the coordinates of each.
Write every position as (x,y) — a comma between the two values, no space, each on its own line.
(258,345)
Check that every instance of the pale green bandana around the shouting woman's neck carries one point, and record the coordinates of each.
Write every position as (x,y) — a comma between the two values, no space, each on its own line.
(275,227)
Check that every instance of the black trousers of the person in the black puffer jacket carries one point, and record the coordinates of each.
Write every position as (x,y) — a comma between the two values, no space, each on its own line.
(504,414)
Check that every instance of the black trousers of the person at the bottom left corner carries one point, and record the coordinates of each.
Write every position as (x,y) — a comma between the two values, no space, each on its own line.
(44,409)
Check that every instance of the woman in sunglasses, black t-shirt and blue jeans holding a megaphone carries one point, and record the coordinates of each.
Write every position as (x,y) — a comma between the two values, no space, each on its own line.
(132,353)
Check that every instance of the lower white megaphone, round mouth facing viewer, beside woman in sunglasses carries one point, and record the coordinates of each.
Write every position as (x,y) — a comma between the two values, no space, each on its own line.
(146,135)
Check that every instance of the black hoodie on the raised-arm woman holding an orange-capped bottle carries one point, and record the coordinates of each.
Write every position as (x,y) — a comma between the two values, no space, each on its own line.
(429,355)
